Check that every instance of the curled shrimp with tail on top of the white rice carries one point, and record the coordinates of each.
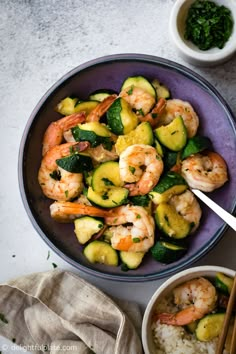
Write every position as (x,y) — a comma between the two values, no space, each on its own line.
(196,297)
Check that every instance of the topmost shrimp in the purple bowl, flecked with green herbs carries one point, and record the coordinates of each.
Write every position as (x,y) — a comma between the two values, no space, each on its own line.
(138,98)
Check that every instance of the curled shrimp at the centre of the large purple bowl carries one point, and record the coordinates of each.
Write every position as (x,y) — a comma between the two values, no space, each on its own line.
(141,166)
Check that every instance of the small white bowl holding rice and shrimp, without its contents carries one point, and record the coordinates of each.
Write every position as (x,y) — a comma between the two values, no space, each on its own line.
(166,288)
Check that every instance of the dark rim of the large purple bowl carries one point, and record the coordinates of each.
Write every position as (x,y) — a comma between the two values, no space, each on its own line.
(102,60)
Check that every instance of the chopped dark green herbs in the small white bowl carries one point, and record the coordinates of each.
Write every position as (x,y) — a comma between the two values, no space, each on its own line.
(208,25)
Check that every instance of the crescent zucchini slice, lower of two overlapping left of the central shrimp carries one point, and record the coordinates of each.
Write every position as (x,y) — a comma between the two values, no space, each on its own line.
(110,198)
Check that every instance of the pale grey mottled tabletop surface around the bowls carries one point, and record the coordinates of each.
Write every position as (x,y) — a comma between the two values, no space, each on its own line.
(39,42)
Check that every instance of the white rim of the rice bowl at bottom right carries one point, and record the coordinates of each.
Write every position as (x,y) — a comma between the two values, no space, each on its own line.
(191,272)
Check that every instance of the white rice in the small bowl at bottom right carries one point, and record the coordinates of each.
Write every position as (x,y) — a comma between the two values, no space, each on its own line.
(174,339)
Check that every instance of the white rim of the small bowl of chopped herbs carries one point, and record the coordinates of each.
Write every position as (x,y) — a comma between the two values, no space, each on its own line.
(204,57)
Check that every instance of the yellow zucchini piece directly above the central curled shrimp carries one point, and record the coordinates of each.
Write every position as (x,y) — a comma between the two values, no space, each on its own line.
(142,134)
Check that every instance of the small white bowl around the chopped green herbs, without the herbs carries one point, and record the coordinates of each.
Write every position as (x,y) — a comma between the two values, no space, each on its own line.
(187,50)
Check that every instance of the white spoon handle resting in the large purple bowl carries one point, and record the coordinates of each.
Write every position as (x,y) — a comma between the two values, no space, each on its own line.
(223,214)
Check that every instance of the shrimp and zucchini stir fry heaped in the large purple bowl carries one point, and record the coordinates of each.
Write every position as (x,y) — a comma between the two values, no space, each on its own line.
(121,165)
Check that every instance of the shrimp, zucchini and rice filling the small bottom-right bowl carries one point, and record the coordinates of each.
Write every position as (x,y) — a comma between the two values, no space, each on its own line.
(193,313)
